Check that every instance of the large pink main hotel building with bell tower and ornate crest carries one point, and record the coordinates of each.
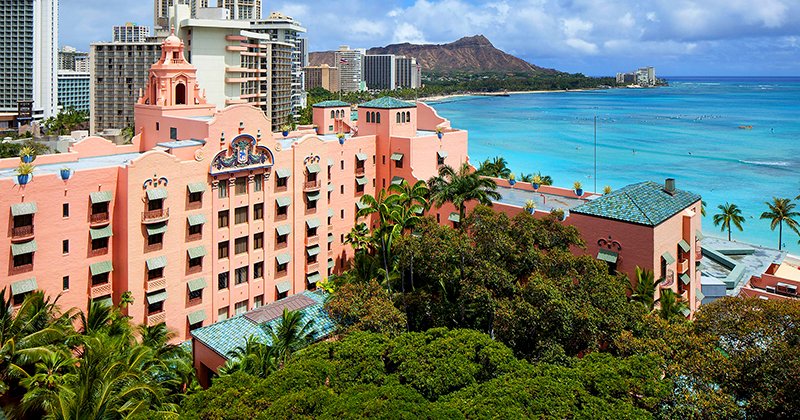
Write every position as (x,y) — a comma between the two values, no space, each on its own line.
(207,214)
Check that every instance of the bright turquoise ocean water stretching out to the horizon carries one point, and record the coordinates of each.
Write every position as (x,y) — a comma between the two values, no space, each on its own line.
(688,131)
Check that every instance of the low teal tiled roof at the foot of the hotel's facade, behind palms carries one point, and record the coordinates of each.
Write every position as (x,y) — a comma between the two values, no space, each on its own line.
(225,336)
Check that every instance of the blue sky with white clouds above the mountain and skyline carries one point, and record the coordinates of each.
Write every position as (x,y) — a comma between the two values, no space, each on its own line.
(595,37)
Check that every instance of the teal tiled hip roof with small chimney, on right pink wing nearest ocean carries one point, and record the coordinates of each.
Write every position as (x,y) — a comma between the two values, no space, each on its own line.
(645,203)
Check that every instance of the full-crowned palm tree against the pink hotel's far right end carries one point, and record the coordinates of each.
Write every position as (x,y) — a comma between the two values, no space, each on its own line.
(461,187)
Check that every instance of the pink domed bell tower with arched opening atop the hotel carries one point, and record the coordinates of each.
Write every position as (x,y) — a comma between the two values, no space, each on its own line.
(172,81)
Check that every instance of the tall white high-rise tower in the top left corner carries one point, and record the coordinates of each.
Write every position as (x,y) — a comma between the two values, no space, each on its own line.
(29,56)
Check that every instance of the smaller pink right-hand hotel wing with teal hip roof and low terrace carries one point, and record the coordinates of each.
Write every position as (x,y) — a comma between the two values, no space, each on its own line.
(649,225)
